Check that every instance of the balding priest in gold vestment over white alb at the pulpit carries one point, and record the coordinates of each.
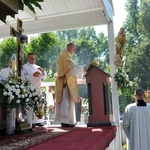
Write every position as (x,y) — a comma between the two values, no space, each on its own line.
(66,91)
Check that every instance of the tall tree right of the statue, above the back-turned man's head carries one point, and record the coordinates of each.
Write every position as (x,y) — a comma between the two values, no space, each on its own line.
(137,49)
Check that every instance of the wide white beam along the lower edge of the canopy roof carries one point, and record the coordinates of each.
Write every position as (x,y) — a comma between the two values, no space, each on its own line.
(58,23)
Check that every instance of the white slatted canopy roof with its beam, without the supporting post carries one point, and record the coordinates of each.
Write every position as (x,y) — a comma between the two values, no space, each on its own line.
(60,15)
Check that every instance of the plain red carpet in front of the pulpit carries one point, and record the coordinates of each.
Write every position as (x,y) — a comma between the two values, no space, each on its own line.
(80,139)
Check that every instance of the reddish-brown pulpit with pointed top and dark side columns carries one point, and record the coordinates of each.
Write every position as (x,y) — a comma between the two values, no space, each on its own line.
(99,98)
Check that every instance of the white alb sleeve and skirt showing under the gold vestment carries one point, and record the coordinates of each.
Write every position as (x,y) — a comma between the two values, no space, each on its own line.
(65,110)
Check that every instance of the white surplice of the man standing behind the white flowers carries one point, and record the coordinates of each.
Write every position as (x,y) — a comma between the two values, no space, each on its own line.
(27,72)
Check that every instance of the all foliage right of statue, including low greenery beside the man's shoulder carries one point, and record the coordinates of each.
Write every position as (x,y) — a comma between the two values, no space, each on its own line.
(137,49)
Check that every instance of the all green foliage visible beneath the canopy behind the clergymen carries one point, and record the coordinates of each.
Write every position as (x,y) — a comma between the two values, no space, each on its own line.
(48,46)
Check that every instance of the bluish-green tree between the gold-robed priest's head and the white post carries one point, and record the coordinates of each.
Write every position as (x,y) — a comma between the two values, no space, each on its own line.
(89,45)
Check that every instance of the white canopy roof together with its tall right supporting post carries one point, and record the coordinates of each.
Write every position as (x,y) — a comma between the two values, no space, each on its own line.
(67,14)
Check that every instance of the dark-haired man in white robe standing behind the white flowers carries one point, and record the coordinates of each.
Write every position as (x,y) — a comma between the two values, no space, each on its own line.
(34,73)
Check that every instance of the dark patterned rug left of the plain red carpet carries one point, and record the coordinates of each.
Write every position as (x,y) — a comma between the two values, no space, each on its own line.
(25,140)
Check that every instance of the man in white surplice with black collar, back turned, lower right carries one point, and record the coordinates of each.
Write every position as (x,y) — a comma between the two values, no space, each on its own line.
(136,123)
